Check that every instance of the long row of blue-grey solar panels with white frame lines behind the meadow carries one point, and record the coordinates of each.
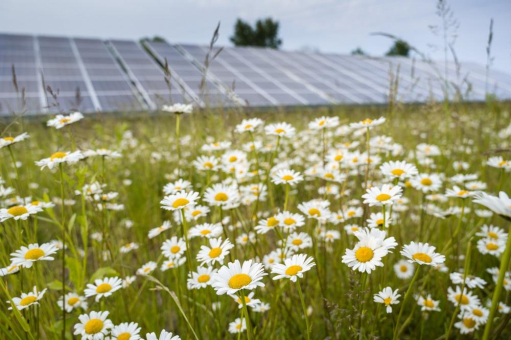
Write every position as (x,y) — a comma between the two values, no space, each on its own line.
(94,75)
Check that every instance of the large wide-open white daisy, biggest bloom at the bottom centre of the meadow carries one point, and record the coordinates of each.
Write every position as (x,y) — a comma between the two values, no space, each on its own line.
(235,276)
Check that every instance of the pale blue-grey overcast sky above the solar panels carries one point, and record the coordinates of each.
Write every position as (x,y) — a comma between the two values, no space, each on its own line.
(324,25)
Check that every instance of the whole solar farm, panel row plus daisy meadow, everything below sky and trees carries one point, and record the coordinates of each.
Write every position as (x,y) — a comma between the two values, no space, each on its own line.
(250,193)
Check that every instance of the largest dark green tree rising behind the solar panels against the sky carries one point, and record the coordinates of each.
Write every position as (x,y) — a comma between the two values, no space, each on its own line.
(264,34)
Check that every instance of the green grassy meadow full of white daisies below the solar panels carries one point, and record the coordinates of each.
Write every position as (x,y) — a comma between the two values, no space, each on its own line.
(312,223)
